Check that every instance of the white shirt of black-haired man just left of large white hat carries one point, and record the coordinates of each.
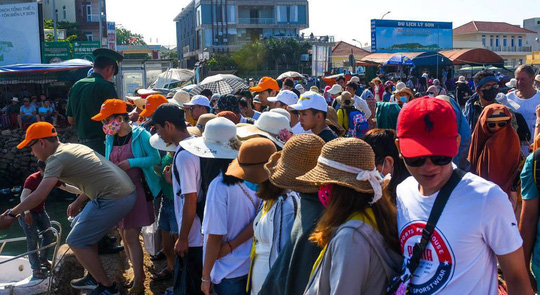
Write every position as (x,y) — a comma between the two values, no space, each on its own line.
(189,170)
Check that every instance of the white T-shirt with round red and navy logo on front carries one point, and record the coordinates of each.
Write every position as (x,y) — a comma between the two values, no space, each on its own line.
(476,224)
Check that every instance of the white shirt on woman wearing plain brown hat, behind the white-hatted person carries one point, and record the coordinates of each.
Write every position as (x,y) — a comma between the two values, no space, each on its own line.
(227,212)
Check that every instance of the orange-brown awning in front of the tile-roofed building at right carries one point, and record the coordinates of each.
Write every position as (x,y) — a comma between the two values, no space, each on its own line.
(476,56)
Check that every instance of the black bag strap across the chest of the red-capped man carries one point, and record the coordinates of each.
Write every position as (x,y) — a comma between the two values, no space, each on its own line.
(436,211)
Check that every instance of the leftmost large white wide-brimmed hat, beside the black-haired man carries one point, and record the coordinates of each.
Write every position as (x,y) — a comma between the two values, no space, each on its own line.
(218,141)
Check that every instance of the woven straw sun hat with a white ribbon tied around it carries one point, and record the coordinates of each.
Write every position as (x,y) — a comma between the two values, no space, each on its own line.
(358,173)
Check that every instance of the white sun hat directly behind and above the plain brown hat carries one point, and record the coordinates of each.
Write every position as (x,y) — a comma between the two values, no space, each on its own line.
(271,125)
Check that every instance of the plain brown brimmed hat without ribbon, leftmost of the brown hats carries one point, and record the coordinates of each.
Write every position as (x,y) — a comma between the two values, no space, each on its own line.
(249,165)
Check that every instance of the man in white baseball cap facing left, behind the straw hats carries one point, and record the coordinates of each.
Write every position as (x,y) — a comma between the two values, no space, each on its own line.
(312,108)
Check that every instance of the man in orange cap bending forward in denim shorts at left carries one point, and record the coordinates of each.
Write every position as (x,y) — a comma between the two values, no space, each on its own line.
(110,190)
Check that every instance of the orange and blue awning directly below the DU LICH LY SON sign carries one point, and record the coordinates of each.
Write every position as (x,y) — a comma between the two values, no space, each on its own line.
(420,59)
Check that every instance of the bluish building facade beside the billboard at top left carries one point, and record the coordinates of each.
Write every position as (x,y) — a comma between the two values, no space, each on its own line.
(84,12)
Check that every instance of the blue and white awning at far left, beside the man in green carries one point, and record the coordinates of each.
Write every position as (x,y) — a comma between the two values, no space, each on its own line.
(71,70)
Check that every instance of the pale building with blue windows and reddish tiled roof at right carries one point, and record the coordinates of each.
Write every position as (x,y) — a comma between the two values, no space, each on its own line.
(508,41)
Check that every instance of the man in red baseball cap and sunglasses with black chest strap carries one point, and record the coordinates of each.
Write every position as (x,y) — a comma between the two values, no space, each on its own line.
(476,225)
